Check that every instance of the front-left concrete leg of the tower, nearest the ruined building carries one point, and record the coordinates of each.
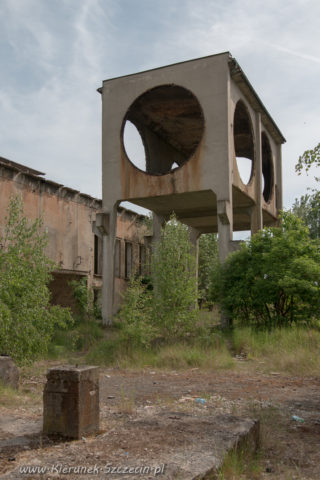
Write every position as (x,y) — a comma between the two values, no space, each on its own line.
(106,223)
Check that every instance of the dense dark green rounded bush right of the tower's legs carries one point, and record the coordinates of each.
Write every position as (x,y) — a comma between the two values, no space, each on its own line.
(273,280)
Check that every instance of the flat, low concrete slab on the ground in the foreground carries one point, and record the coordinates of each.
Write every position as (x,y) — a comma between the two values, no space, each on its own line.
(190,446)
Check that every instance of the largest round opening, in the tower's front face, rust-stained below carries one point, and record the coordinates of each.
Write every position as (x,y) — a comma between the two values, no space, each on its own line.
(162,129)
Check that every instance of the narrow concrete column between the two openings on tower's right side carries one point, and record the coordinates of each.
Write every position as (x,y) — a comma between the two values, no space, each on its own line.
(256,213)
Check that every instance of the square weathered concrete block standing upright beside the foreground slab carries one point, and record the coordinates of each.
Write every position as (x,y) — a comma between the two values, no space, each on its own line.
(71,401)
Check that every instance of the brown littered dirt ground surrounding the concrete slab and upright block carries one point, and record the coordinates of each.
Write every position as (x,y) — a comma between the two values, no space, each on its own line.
(290,449)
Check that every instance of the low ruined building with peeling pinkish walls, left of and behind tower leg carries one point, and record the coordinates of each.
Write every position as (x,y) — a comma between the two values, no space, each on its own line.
(68,217)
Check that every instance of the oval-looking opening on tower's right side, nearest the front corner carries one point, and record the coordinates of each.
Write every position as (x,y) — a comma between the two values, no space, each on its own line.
(243,142)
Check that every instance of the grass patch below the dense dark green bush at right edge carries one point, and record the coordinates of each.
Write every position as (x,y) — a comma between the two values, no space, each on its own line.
(293,350)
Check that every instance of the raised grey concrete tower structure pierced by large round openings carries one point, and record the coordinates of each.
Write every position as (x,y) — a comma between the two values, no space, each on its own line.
(195,120)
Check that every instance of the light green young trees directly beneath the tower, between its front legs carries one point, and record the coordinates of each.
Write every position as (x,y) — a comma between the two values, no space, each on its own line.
(168,312)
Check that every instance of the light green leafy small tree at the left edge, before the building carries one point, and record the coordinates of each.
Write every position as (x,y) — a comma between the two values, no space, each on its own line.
(27,320)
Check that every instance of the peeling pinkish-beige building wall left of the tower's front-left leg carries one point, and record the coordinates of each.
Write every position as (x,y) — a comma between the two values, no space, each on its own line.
(67,218)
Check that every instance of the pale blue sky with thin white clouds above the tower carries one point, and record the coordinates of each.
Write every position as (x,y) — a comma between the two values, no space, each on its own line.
(55,54)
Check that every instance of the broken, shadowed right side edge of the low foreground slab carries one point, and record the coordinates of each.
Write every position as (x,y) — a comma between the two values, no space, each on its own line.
(246,443)
